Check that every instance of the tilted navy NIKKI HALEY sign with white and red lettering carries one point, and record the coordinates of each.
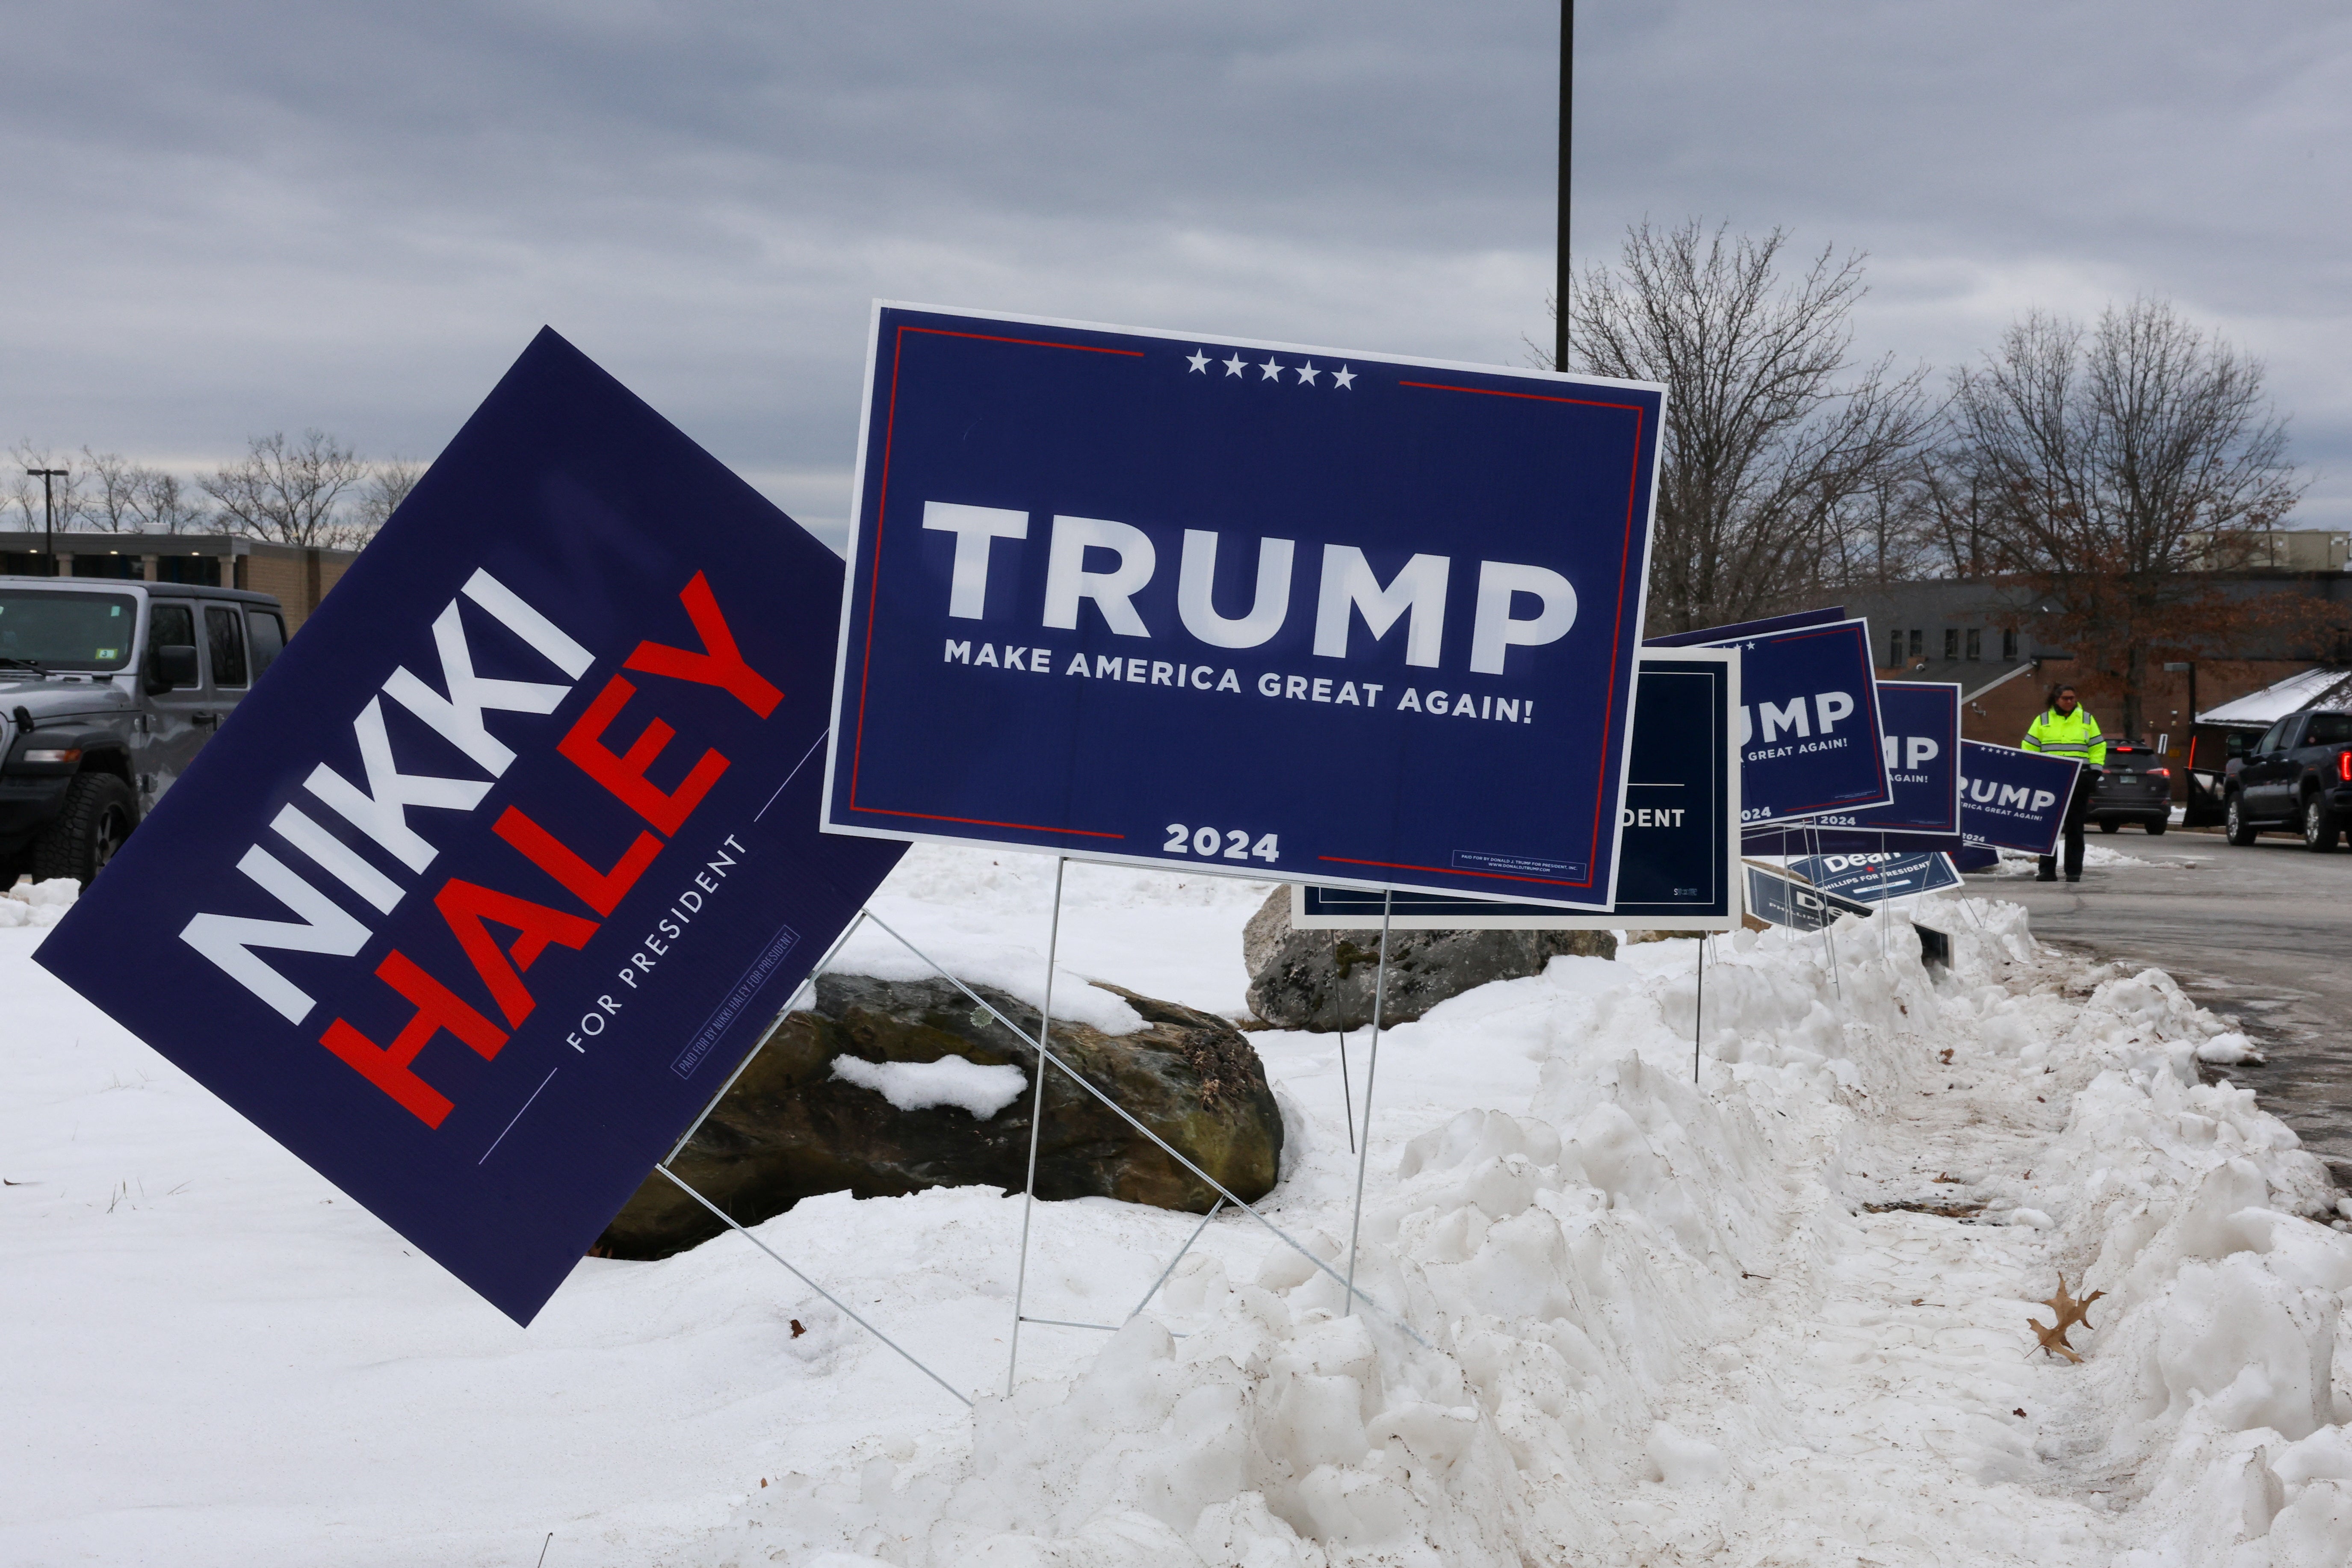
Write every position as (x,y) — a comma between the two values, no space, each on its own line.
(509,862)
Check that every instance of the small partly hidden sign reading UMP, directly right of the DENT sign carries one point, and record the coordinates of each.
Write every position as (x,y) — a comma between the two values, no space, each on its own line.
(1810,721)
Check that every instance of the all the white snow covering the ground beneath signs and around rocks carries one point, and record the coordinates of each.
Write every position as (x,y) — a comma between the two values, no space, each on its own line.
(1664,1322)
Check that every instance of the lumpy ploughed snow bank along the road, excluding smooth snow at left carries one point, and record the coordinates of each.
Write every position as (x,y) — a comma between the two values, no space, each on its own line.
(1664,1320)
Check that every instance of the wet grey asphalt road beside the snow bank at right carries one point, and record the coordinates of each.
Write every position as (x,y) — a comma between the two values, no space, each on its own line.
(2257,934)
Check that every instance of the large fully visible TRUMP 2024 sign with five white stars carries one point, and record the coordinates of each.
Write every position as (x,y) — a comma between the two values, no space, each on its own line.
(1243,608)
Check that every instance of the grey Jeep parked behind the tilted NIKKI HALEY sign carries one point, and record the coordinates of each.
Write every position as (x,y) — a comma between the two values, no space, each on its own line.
(107,692)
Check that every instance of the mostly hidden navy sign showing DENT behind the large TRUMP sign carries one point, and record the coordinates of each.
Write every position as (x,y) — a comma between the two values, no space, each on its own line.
(1678,833)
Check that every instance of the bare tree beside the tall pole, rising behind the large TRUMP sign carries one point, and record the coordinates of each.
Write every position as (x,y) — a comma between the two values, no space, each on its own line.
(1777,448)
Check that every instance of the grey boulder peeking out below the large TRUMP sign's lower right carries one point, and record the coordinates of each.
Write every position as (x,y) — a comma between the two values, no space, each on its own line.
(1325,979)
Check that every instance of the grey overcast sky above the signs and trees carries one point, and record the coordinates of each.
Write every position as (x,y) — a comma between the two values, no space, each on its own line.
(262,215)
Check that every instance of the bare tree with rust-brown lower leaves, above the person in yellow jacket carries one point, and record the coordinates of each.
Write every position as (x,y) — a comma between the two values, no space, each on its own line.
(2113,469)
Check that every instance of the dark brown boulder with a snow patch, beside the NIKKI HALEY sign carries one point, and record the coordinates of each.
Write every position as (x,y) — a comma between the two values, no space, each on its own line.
(799,1125)
